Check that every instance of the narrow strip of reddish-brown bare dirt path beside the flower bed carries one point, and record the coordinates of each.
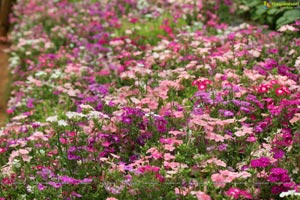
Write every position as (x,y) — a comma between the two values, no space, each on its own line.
(4,77)
